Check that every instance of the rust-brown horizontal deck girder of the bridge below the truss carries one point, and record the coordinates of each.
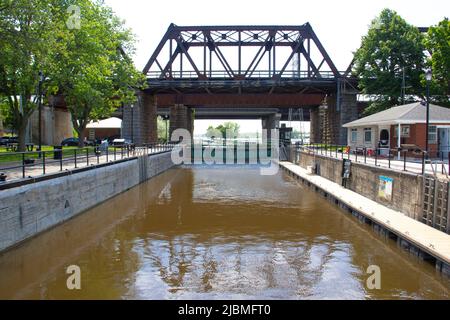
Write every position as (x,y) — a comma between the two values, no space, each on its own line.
(241,93)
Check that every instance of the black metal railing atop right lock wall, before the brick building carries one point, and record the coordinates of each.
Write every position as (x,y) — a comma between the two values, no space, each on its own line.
(398,159)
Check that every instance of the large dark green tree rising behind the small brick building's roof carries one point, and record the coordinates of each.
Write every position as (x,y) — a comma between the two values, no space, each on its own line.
(390,48)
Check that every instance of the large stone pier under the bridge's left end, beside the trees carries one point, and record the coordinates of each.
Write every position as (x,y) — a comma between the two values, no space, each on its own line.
(140,120)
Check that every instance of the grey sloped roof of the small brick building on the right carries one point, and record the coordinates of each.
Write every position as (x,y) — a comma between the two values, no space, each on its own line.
(406,114)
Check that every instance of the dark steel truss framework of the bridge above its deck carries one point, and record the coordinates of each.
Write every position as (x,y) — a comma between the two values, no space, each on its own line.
(299,39)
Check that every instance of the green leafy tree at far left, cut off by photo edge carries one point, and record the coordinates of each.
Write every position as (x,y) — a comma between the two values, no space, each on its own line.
(26,41)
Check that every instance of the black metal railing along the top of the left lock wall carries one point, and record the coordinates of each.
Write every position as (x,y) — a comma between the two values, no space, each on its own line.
(24,165)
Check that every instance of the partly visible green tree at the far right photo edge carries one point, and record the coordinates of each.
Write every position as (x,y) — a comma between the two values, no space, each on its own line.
(438,44)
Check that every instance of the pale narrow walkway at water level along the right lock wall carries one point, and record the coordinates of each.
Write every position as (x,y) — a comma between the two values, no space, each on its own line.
(428,239)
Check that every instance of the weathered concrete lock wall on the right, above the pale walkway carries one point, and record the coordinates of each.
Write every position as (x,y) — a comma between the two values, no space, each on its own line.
(365,180)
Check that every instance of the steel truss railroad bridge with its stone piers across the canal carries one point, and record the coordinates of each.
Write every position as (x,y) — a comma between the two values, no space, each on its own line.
(243,72)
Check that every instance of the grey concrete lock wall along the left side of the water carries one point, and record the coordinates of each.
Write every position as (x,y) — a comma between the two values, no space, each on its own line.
(31,209)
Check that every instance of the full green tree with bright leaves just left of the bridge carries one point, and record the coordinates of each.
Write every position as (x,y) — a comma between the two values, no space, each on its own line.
(93,72)
